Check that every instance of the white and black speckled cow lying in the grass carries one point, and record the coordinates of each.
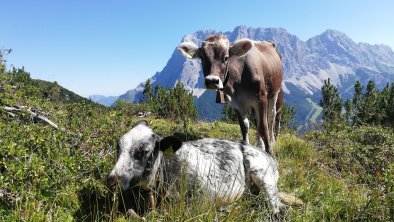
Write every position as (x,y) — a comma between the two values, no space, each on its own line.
(221,168)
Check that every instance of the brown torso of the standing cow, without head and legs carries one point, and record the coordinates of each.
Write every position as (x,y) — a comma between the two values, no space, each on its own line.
(259,72)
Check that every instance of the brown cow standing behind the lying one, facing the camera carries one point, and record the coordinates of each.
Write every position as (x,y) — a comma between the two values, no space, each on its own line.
(249,73)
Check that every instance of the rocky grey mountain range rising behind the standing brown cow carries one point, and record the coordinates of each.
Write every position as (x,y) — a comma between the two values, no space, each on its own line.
(306,65)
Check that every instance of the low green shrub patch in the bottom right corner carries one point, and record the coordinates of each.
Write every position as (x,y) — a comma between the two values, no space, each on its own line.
(362,157)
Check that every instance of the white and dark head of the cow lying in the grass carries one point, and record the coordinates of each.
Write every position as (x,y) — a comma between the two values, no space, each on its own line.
(139,155)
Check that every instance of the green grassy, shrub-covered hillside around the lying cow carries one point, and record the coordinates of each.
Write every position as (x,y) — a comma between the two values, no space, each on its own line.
(58,174)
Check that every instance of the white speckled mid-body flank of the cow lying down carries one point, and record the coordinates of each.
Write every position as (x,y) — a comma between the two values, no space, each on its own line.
(217,166)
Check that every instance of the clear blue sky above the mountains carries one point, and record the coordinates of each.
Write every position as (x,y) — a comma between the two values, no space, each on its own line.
(107,47)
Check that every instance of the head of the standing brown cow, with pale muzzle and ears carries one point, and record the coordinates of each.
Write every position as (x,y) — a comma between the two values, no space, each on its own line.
(215,53)
